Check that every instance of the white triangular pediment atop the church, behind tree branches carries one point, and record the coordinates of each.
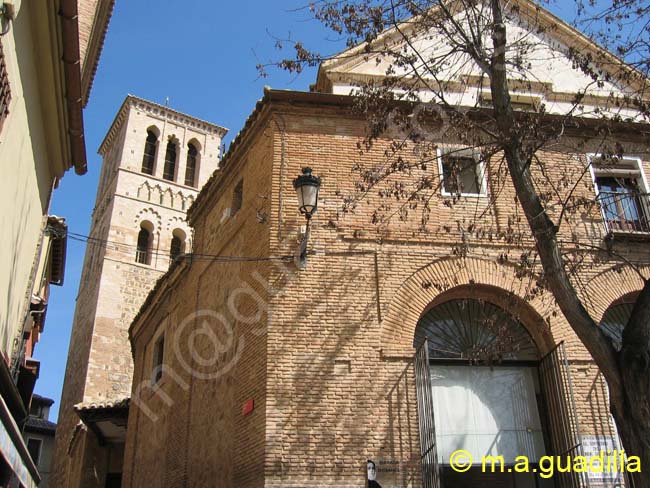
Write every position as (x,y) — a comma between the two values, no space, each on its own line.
(549,74)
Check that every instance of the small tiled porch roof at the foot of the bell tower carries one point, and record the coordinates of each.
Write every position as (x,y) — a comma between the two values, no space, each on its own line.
(106,419)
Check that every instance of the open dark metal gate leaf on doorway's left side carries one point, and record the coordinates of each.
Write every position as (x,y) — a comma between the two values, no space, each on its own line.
(426,421)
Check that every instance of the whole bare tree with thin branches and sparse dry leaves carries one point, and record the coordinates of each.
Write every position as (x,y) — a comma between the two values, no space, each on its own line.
(471,41)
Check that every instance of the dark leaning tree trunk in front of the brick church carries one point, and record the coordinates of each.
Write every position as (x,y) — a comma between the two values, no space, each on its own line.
(627,373)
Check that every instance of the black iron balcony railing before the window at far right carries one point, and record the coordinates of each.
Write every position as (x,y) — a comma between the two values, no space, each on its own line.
(625,211)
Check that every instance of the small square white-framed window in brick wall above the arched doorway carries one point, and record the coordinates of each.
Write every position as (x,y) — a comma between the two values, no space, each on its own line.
(461,175)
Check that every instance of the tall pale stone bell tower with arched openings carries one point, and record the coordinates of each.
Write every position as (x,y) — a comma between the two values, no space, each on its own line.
(155,160)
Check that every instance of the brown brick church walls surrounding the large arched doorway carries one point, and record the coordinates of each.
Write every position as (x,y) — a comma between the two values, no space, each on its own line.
(274,376)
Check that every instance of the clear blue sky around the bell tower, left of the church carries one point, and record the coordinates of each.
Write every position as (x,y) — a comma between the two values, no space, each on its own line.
(202,55)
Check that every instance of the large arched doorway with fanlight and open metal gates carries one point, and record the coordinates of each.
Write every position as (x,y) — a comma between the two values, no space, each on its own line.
(490,393)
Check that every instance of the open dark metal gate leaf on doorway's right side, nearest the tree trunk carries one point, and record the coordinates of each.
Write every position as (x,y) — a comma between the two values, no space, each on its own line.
(564,427)
